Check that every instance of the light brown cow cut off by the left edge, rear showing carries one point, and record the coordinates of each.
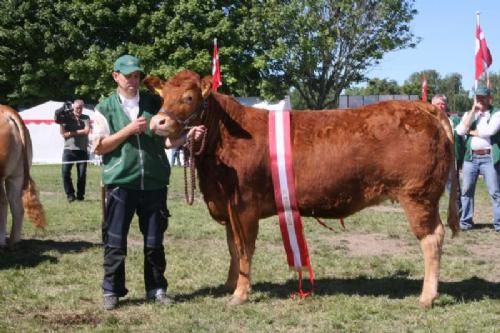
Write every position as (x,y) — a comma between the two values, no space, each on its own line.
(17,189)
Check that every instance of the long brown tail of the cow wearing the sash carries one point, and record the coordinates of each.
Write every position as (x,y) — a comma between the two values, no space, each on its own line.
(453,218)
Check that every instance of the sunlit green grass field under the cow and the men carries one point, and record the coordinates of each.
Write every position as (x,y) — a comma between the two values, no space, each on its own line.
(368,277)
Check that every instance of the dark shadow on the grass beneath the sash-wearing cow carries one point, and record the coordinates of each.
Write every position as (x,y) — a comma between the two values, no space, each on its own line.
(394,287)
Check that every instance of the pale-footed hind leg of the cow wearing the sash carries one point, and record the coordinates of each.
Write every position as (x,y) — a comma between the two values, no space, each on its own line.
(424,220)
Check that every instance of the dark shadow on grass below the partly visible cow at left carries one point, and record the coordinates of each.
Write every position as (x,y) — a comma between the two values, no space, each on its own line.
(31,252)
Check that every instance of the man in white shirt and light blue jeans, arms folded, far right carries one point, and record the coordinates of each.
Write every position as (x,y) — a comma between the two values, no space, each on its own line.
(480,127)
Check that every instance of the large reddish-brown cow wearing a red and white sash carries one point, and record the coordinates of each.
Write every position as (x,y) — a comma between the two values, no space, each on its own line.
(344,161)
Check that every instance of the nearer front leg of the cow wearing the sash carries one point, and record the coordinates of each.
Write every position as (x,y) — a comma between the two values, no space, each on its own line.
(245,234)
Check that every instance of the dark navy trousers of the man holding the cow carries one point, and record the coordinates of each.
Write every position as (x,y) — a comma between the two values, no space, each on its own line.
(151,208)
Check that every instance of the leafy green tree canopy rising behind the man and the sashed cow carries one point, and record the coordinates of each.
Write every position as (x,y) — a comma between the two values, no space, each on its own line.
(55,49)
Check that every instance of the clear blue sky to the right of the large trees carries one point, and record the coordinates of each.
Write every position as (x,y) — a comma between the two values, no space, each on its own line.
(447,29)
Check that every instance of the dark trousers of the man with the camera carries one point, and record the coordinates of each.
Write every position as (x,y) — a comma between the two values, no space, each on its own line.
(81,168)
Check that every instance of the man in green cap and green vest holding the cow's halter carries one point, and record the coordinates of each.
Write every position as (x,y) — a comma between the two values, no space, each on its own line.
(135,174)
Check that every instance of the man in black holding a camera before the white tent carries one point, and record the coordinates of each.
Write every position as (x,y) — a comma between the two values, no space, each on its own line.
(75,128)
